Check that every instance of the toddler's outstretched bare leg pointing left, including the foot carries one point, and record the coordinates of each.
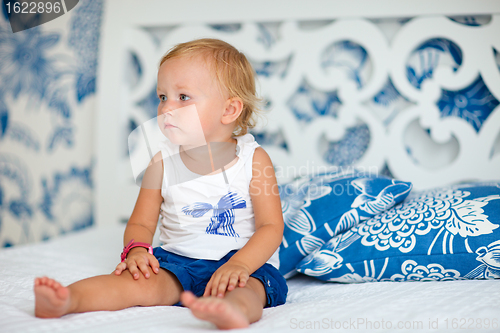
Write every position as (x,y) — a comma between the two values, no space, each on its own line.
(105,292)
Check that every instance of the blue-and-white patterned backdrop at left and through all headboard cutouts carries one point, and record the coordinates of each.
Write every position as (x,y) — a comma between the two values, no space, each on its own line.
(47,100)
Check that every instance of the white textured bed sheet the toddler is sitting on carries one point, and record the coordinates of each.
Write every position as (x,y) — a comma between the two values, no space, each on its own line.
(311,305)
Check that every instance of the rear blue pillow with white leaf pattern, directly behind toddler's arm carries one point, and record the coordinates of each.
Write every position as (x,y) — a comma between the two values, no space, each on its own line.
(317,208)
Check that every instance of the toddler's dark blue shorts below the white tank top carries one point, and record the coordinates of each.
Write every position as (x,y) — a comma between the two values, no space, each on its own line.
(194,274)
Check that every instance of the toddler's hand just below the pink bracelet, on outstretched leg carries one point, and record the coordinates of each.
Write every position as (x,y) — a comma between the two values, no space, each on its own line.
(138,259)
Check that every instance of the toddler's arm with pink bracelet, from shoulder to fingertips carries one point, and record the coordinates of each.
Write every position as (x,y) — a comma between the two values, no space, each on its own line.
(142,223)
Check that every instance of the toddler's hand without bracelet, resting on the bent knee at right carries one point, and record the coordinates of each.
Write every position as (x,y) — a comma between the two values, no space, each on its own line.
(227,277)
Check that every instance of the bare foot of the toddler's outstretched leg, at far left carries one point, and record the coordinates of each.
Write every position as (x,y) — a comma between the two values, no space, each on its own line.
(51,298)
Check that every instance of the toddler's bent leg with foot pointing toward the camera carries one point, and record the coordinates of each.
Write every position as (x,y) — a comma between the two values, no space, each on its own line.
(237,309)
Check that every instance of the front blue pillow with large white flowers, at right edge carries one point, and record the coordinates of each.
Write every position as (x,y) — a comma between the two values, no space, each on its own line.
(445,234)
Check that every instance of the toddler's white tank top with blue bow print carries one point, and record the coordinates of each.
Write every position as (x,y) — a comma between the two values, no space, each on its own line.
(207,216)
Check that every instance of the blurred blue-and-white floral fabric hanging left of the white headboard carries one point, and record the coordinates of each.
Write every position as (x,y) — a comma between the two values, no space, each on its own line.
(47,100)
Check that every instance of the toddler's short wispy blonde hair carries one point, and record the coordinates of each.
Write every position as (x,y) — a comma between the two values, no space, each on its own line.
(233,71)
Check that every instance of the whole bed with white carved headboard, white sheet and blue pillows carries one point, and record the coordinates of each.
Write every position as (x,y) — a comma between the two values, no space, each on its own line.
(381,87)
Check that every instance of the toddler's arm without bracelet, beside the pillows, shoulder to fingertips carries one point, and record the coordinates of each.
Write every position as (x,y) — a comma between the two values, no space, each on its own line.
(268,230)
